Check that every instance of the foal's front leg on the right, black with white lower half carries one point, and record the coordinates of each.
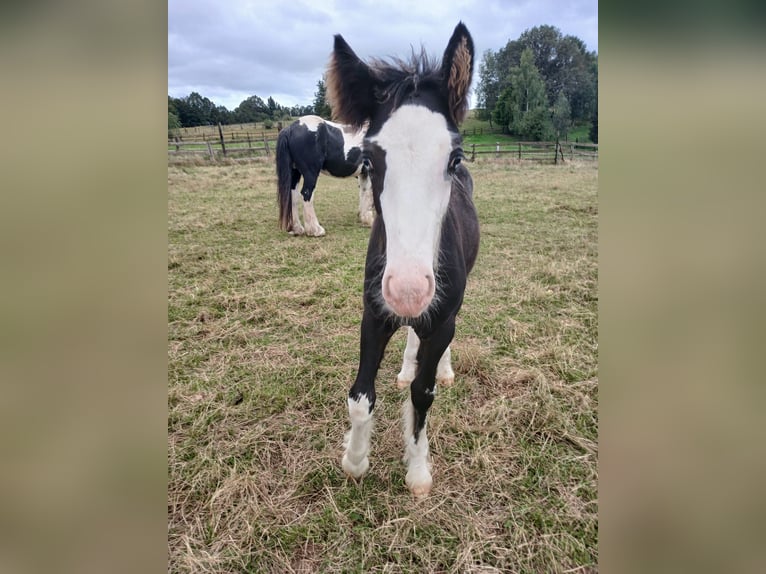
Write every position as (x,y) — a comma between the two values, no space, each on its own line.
(422,392)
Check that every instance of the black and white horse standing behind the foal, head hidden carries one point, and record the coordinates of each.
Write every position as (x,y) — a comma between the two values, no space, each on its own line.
(310,145)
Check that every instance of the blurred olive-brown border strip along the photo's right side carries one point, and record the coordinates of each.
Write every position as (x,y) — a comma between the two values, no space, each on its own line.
(682,253)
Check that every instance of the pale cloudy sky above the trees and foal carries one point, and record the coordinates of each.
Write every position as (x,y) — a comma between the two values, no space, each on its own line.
(228,51)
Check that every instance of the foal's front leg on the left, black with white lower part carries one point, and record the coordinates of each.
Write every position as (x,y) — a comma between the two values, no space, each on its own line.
(361,398)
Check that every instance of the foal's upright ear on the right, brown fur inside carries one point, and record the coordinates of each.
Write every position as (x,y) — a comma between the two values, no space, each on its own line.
(457,71)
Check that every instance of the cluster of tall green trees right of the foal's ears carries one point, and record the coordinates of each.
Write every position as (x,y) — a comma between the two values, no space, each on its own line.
(539,85)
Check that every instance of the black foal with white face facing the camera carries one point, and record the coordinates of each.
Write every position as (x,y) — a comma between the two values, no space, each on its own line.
(425,238)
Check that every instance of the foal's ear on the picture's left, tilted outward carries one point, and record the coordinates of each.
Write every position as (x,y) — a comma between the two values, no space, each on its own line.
(350,85)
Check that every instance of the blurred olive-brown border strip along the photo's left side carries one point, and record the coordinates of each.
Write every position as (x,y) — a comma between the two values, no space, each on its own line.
(84,290)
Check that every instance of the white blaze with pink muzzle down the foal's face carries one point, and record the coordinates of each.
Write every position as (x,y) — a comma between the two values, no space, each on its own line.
(415,195)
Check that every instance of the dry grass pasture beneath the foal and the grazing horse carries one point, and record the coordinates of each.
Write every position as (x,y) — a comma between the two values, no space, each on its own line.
(263,337)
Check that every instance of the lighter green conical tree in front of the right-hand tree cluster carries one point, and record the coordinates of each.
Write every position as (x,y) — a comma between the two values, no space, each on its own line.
(523,108)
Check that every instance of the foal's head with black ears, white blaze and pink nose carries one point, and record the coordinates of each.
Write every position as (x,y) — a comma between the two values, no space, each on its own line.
(412,150)
